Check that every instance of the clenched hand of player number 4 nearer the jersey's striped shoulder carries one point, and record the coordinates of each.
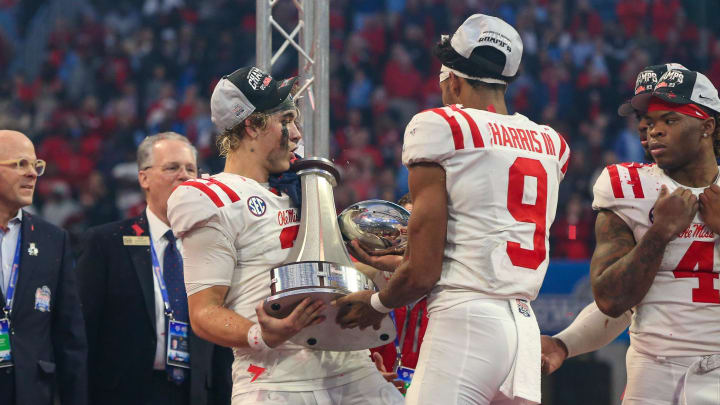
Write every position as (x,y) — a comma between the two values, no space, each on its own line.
(673,212)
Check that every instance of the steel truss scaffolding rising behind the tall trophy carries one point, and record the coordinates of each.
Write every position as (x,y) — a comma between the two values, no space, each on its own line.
(313,57)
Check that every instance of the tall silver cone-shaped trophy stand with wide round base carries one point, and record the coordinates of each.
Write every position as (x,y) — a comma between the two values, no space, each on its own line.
(320,267)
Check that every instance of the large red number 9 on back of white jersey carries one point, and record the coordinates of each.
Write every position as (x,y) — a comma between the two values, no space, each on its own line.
(535,213)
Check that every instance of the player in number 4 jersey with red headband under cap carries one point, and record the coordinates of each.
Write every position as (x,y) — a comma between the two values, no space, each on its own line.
(657,243)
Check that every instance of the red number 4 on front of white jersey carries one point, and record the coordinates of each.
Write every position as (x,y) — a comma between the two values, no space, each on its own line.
(700,255)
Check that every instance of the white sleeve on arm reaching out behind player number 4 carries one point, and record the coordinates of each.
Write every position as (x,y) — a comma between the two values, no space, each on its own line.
(592,330)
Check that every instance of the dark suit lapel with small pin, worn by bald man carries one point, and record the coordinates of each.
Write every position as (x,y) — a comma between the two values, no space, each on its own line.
(28,263)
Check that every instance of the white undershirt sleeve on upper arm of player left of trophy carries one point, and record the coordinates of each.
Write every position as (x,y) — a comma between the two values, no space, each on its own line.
(209,258)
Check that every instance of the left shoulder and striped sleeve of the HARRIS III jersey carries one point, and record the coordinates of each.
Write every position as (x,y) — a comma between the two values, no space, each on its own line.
(428,137)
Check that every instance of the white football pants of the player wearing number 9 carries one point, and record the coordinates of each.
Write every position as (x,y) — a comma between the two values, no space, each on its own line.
(467,352)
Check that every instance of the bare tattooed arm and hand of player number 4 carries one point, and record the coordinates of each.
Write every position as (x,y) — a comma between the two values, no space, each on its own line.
(622,271)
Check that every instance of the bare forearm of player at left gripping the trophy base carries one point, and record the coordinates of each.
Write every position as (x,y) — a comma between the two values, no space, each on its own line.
(219,325)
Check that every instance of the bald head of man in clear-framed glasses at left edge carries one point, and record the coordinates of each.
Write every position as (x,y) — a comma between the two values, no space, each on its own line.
(16,185)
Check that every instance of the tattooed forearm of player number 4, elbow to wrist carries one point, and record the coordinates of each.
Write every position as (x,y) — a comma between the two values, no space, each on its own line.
(624,283)
